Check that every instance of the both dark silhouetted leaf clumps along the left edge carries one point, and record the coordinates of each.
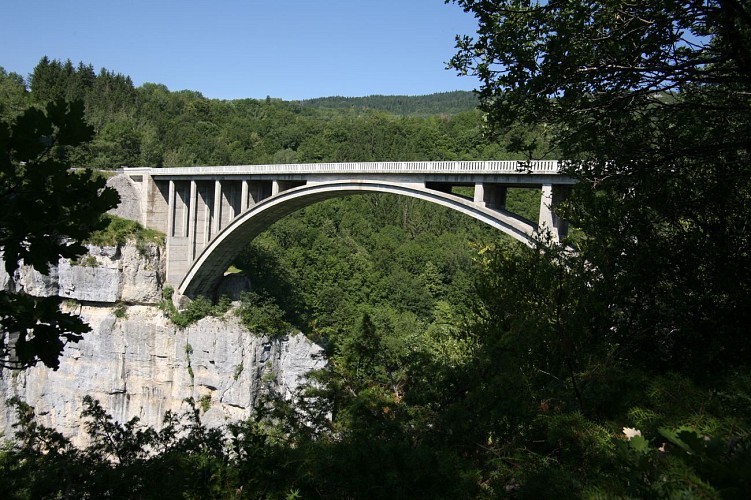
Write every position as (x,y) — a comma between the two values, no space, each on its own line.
(47,210)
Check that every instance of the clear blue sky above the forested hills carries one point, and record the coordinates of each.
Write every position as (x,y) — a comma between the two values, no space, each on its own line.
(227,49)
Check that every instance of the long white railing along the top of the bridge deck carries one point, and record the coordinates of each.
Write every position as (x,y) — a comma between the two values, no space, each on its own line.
(400,167)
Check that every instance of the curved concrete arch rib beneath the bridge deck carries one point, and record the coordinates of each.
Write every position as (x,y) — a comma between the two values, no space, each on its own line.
(210,265)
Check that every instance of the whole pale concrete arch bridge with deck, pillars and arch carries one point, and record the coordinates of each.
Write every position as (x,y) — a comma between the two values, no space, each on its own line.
(210,214)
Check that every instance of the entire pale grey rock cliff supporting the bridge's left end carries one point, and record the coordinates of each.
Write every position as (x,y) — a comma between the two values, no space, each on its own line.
(136,362)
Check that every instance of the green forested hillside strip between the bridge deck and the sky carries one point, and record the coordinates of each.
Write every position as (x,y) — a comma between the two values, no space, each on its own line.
(152,126)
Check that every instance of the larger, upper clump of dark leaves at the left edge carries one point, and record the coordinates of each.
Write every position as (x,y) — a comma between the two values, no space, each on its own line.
(46,207)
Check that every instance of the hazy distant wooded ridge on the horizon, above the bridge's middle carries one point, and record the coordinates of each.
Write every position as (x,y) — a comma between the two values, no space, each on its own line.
(447,103)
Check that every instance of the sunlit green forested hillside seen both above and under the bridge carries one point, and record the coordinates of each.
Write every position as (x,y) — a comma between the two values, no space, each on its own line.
(395,259)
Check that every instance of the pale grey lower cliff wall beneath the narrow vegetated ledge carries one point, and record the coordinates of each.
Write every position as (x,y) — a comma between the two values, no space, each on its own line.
(142,365)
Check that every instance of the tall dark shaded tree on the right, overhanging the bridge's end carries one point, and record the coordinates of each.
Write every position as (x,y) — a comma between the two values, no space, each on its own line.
(652,101)
